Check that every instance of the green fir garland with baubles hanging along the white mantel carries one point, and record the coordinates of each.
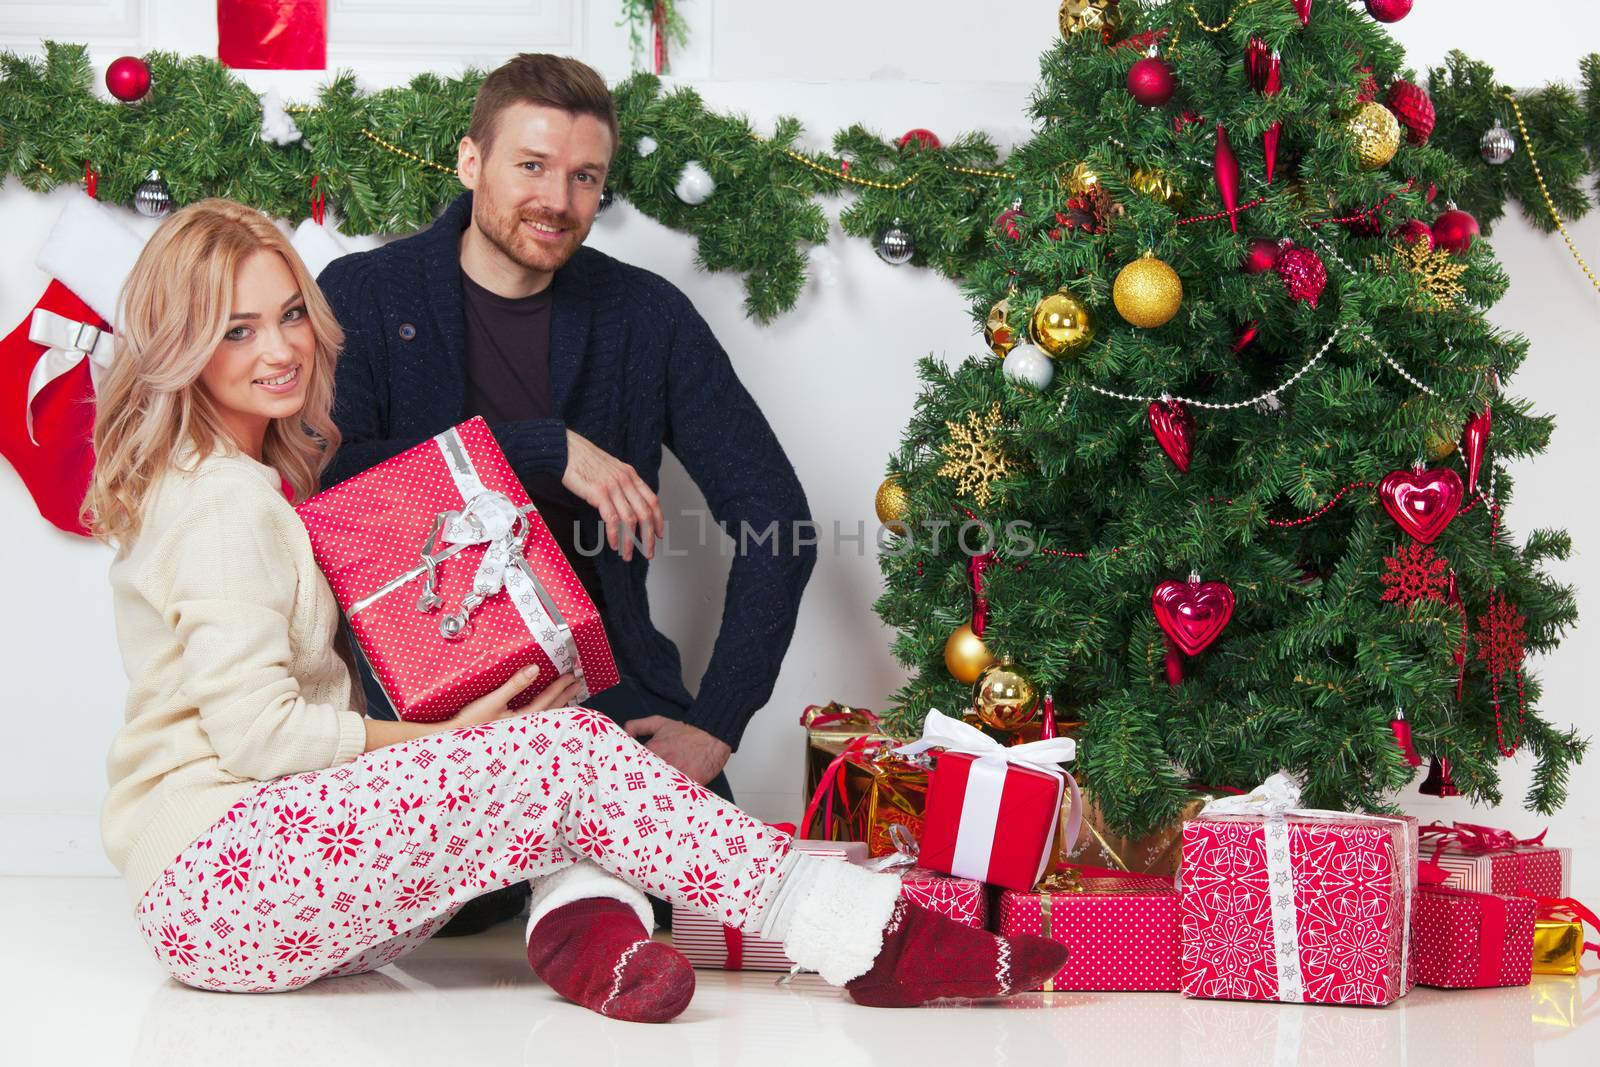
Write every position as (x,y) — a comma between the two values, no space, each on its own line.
(385,159)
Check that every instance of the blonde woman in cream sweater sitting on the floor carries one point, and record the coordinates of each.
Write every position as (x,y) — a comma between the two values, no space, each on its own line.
(271,834)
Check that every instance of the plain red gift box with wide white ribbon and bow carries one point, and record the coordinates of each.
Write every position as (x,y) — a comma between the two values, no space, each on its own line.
(993,809)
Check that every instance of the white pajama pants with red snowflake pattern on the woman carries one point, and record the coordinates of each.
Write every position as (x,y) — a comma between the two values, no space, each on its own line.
(346,869)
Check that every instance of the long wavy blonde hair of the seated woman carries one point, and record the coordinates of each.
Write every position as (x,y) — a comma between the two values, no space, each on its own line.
(172,318)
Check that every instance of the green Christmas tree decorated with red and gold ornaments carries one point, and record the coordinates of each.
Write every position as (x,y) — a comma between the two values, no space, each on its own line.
(1231,484)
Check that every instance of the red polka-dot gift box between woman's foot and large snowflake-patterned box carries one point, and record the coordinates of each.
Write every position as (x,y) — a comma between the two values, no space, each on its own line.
(1121,930)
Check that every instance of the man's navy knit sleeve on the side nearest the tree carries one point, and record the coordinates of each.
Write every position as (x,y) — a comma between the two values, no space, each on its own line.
(726,444)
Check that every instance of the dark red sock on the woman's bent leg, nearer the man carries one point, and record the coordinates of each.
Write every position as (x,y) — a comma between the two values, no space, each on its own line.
(598,954)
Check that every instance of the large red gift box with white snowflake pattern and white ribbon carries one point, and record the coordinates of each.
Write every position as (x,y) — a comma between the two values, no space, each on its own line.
(1297,906)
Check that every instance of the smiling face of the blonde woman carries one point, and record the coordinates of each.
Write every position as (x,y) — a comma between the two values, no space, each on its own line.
(260,370)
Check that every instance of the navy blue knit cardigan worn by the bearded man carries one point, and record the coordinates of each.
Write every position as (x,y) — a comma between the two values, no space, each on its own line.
(633,367)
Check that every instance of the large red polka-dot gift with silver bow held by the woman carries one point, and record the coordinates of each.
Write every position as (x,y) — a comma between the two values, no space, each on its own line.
(452,581)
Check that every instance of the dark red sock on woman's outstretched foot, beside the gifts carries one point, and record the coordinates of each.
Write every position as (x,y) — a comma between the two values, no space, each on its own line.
(927,956)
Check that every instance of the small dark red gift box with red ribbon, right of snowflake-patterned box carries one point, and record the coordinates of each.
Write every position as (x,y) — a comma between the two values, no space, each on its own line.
(1473,940)
